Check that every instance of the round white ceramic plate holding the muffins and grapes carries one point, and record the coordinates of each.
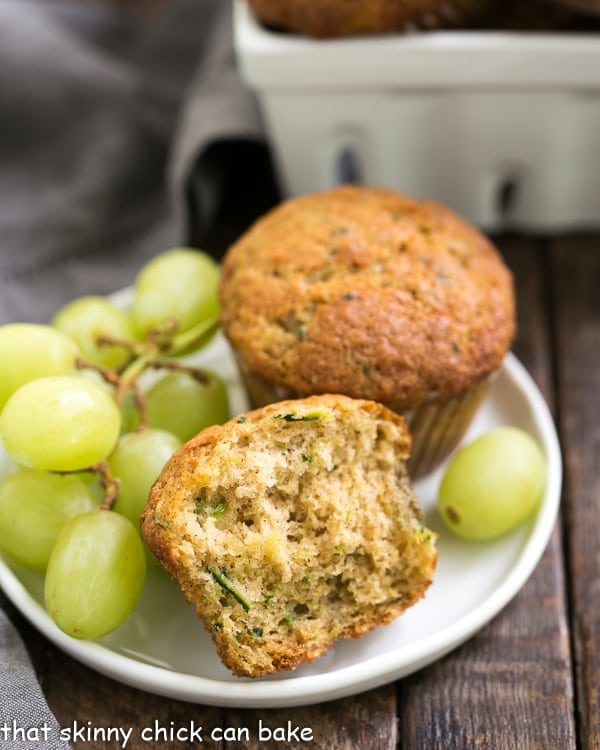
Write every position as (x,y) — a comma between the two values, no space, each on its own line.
(163,648)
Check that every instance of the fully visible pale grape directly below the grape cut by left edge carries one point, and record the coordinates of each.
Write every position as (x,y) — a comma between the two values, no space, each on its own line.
(60,423)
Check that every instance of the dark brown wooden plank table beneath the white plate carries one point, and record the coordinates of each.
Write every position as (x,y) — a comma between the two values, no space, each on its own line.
(529,679)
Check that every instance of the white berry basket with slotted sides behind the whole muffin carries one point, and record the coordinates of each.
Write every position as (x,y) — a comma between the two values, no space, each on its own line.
(502,126)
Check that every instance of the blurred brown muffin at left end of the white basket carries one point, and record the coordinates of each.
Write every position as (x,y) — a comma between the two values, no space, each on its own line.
(343,18)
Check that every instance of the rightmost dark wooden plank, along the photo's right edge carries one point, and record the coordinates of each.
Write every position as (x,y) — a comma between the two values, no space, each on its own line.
(575,273)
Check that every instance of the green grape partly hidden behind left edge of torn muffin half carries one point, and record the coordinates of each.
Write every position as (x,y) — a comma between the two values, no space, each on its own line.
(136,462)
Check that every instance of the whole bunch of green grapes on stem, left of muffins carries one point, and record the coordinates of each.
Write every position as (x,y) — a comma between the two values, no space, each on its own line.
(87,438)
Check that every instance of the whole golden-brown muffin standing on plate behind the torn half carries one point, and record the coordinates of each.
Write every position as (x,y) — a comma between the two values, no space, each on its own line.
(369,293)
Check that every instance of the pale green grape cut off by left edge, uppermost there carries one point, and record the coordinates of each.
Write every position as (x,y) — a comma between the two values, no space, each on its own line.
(29,351)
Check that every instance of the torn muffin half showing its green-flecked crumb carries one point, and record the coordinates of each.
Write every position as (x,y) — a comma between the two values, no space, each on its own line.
(292,526)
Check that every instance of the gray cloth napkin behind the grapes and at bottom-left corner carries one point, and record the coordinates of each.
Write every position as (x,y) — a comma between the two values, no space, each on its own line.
(108,128)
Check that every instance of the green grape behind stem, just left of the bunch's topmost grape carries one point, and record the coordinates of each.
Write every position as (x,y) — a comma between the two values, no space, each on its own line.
(86,318)
